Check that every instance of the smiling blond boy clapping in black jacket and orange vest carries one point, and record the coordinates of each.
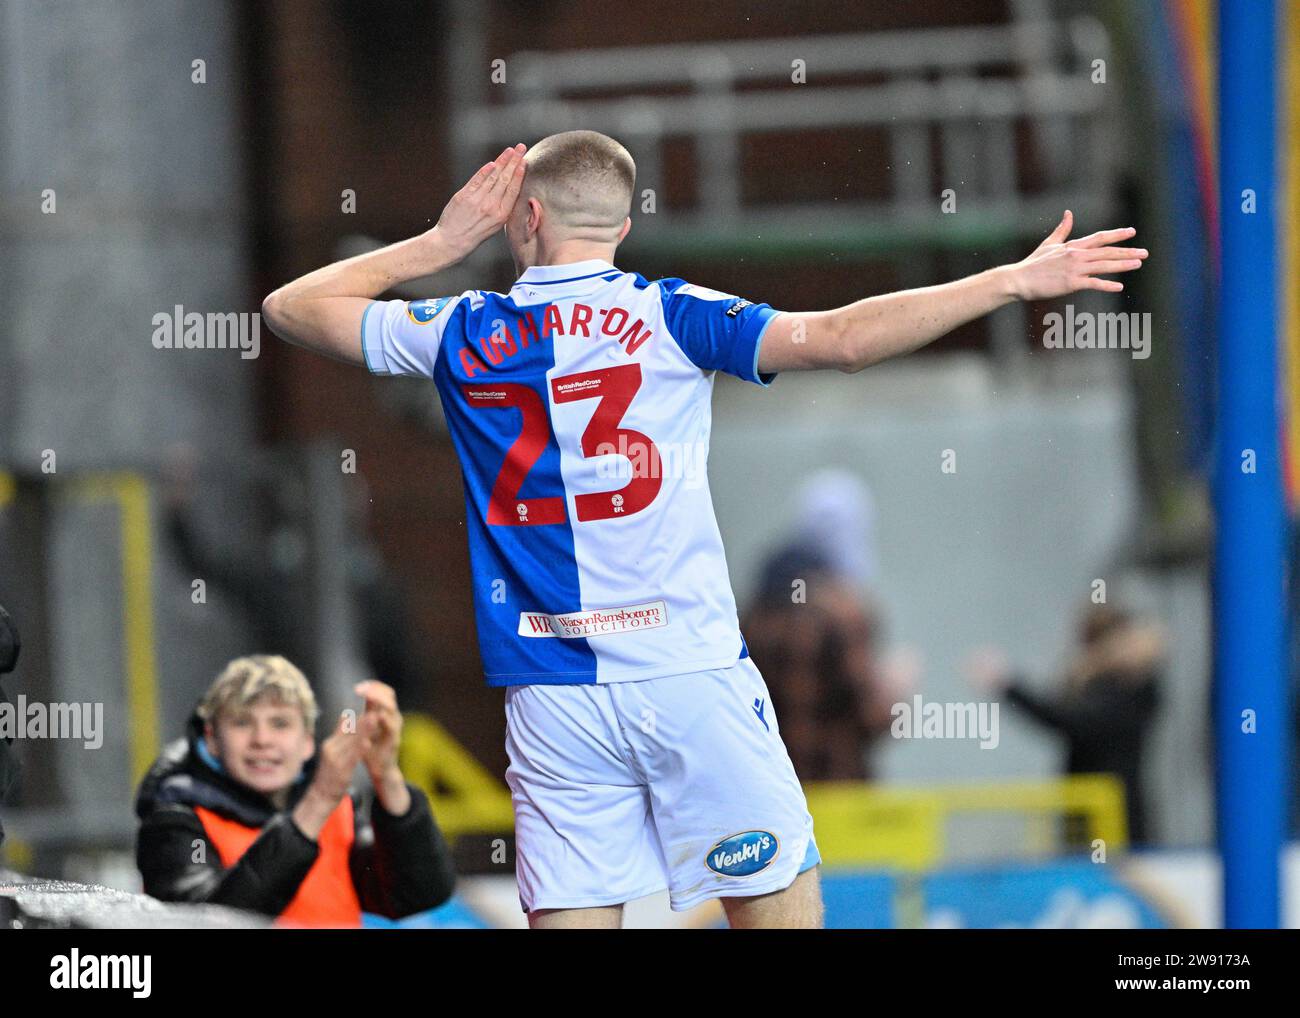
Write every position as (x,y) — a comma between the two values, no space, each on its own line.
(244,812)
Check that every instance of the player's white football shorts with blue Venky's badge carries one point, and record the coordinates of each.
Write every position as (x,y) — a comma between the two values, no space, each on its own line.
(629,789)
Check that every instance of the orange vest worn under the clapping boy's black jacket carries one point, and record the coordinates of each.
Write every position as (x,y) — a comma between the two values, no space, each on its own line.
(327,896)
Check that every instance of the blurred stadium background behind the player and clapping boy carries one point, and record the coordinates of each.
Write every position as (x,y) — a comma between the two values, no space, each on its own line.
(990,521)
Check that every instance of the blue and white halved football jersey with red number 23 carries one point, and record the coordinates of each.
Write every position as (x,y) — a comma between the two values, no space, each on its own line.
(580,408)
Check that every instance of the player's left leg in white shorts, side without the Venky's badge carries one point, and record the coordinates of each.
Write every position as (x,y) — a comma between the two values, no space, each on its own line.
(584,835)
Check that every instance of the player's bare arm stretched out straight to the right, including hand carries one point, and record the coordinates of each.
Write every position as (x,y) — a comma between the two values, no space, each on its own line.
(857,336)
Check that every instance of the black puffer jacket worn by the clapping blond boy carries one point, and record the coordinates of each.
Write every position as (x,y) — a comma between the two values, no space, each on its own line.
(400,865)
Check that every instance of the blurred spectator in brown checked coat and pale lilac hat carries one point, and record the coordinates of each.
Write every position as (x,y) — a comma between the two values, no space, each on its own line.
(816,638)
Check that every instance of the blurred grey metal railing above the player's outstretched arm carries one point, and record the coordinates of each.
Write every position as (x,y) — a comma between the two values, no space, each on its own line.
(969,97)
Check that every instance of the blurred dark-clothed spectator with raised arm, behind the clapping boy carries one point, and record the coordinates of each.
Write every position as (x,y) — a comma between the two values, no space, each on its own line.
(272,581)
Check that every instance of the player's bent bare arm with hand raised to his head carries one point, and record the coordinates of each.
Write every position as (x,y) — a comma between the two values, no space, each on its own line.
(323,310)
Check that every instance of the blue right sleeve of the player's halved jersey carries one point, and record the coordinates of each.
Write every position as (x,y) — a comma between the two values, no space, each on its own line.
(717,331)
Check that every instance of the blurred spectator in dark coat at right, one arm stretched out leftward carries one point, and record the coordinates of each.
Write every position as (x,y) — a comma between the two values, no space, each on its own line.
(1104,708)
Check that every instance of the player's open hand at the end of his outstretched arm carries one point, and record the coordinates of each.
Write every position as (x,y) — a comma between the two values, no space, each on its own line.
(1060,267)
